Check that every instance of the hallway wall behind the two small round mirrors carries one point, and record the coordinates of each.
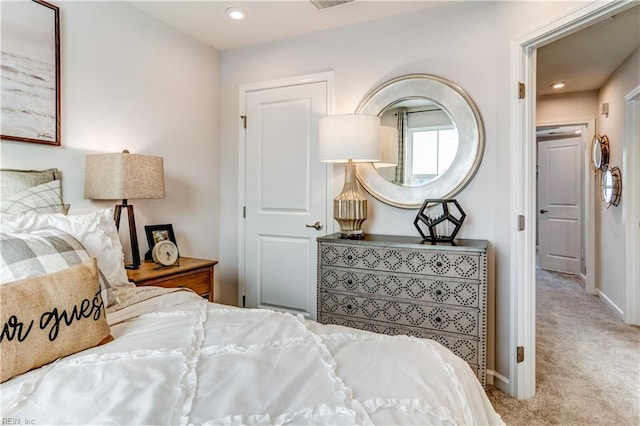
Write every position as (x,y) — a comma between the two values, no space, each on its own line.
(611,229)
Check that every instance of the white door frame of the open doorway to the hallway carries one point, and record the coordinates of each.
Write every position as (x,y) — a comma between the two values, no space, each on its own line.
(523,205)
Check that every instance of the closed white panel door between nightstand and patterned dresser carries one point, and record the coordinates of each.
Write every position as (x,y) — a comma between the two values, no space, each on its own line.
(285,190)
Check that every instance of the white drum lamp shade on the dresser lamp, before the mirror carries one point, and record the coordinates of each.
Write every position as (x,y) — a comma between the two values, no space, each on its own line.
(347,137)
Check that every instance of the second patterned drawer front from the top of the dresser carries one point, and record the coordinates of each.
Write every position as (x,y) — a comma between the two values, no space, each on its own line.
(403,287)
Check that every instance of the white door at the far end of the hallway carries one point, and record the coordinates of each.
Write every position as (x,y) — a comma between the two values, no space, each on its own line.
(560,205)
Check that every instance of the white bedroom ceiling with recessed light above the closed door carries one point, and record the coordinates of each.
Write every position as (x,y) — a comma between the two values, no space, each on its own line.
(267,20)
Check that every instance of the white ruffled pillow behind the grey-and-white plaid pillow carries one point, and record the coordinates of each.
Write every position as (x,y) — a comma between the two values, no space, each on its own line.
(96,231)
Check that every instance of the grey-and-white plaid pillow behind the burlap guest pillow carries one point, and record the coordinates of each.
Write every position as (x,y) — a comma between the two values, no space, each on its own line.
(27,255)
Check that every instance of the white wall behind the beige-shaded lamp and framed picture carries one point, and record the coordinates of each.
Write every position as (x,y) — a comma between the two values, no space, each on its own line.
(129,81)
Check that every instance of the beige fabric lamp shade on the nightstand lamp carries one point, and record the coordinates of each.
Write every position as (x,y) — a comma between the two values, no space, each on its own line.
(123,176)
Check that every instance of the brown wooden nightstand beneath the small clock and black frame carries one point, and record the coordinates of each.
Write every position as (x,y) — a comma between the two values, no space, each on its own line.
(196,274)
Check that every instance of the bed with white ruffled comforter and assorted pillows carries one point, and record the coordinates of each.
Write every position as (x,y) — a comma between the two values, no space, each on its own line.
(153,356)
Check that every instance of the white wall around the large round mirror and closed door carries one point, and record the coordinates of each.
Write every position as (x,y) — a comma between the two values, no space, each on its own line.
(468,43)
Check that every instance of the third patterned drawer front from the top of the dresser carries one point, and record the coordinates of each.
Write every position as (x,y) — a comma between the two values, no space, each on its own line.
(413,315)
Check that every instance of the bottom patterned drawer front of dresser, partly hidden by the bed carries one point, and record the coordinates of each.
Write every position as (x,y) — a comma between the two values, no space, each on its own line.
(466,349)
